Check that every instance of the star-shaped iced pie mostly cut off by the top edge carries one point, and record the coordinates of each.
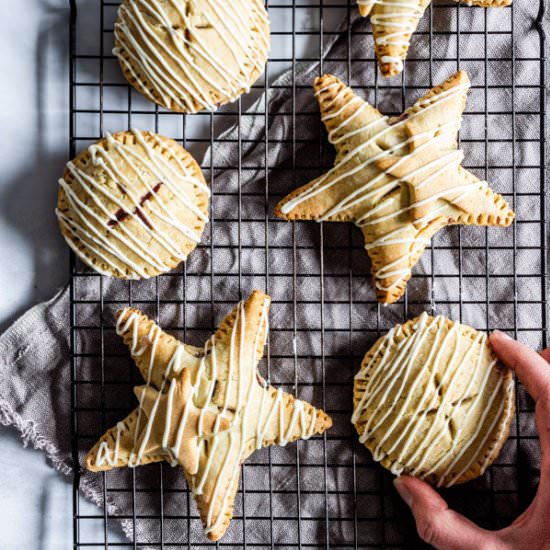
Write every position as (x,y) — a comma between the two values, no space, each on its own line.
(393,23)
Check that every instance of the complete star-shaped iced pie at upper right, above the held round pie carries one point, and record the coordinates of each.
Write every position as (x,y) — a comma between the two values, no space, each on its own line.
(399,179)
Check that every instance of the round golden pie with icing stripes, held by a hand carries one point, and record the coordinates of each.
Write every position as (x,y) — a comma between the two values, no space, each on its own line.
(431,400)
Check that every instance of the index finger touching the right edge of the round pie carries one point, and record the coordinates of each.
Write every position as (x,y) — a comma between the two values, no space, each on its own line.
(531,368)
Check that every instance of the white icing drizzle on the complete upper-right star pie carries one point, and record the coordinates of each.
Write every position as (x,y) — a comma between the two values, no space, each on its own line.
(375,189)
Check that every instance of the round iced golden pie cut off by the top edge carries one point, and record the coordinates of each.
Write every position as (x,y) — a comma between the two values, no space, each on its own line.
(190,55)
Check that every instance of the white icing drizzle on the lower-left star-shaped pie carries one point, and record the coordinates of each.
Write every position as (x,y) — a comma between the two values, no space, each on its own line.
(250,417)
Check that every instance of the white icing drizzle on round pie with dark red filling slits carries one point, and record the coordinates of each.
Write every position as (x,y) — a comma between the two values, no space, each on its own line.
(108,237)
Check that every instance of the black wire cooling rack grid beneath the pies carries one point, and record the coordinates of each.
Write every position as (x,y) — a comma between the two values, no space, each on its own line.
(347,500)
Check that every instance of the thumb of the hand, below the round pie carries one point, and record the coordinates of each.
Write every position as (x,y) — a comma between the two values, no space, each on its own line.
(436,523)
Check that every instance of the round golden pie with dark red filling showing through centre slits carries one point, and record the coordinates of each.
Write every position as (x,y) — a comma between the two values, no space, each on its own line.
(133,205)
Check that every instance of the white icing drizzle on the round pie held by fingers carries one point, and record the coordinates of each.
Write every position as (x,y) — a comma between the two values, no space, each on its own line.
(392,369)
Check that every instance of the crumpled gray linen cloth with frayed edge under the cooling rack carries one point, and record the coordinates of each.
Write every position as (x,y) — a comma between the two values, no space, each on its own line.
(35,388)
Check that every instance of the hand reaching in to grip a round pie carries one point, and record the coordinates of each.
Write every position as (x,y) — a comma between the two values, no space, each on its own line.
(446,529)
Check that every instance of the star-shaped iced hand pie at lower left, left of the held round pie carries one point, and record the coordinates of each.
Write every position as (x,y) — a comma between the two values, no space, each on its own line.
(206,409)
